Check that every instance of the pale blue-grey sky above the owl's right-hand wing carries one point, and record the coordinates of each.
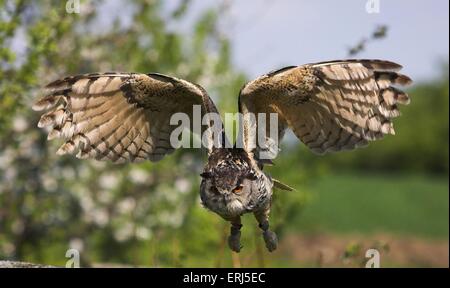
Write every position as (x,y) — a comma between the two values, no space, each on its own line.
(269,34)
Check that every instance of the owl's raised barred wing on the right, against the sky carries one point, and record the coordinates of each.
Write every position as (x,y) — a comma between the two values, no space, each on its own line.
(330,106)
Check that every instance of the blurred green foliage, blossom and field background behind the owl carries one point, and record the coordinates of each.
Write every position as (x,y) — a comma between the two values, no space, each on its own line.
(392,196)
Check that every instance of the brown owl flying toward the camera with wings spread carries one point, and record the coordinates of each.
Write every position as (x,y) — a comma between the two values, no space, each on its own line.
(125,117)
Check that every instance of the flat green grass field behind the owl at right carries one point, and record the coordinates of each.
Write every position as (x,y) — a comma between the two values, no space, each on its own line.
(411,205)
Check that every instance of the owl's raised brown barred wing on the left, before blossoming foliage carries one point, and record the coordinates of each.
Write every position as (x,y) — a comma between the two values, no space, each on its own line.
(122,117)
